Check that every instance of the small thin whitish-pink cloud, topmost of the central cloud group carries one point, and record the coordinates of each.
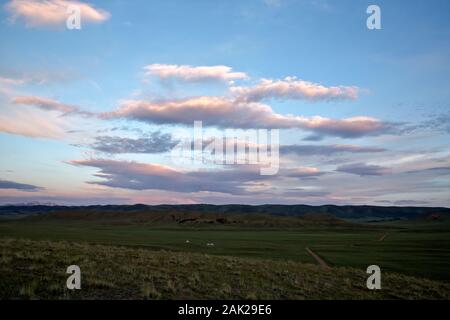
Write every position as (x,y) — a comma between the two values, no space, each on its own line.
(193,74)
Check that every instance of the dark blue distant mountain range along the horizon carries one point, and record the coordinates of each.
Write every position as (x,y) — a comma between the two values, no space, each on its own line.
(344,212)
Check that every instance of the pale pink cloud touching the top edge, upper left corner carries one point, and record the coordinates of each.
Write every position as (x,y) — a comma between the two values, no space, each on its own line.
(37,13)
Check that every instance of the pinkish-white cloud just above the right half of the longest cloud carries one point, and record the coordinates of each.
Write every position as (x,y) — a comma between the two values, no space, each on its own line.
(293,88)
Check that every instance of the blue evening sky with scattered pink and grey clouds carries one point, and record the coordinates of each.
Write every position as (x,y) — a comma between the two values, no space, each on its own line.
(91,115)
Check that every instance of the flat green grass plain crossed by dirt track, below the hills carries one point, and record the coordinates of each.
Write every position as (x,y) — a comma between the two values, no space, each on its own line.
(416,249)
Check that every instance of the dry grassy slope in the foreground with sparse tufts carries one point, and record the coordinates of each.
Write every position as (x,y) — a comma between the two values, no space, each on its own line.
(36,270)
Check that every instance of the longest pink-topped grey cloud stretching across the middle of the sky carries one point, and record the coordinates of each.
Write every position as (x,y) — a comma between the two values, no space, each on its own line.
(225,113)
